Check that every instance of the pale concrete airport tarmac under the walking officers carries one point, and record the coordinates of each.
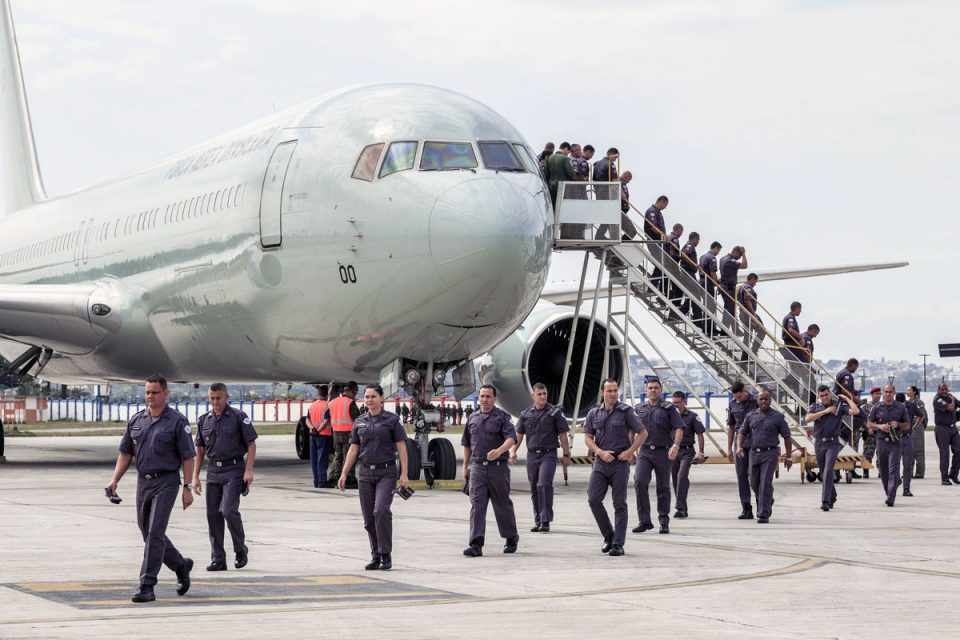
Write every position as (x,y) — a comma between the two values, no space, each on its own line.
(69,561)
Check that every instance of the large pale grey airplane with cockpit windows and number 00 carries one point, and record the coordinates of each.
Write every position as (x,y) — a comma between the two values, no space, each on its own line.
(392,231)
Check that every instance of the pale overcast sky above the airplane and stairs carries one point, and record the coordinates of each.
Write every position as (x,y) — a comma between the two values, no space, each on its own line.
(812,132)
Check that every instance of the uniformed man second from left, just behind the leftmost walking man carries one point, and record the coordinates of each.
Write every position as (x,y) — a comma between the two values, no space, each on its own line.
(224,436)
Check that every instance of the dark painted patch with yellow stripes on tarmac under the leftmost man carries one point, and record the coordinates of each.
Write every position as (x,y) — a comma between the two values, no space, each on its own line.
(268,590)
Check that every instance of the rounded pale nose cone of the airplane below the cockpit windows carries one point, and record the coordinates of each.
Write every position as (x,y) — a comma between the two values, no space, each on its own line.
(490,242)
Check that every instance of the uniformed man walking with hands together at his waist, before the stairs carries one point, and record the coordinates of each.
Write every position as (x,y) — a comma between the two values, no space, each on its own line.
(614,433)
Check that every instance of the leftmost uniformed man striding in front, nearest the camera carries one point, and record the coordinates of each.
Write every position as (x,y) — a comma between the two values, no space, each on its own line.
(159,438)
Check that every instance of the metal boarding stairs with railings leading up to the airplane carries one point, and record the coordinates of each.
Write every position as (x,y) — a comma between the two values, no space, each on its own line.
(696,320)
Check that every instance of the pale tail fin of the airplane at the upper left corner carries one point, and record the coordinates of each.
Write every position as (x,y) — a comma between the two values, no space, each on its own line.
(20,182)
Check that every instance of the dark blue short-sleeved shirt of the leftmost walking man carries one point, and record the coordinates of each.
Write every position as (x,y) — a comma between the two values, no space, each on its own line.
(159,444)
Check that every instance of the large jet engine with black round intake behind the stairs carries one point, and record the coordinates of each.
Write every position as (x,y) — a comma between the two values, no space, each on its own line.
(536,352)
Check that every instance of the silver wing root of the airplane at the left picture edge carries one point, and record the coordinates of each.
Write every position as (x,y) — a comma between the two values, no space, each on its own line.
(72,319)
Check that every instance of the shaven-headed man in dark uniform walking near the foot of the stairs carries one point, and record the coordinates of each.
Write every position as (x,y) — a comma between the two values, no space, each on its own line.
(760,432)
